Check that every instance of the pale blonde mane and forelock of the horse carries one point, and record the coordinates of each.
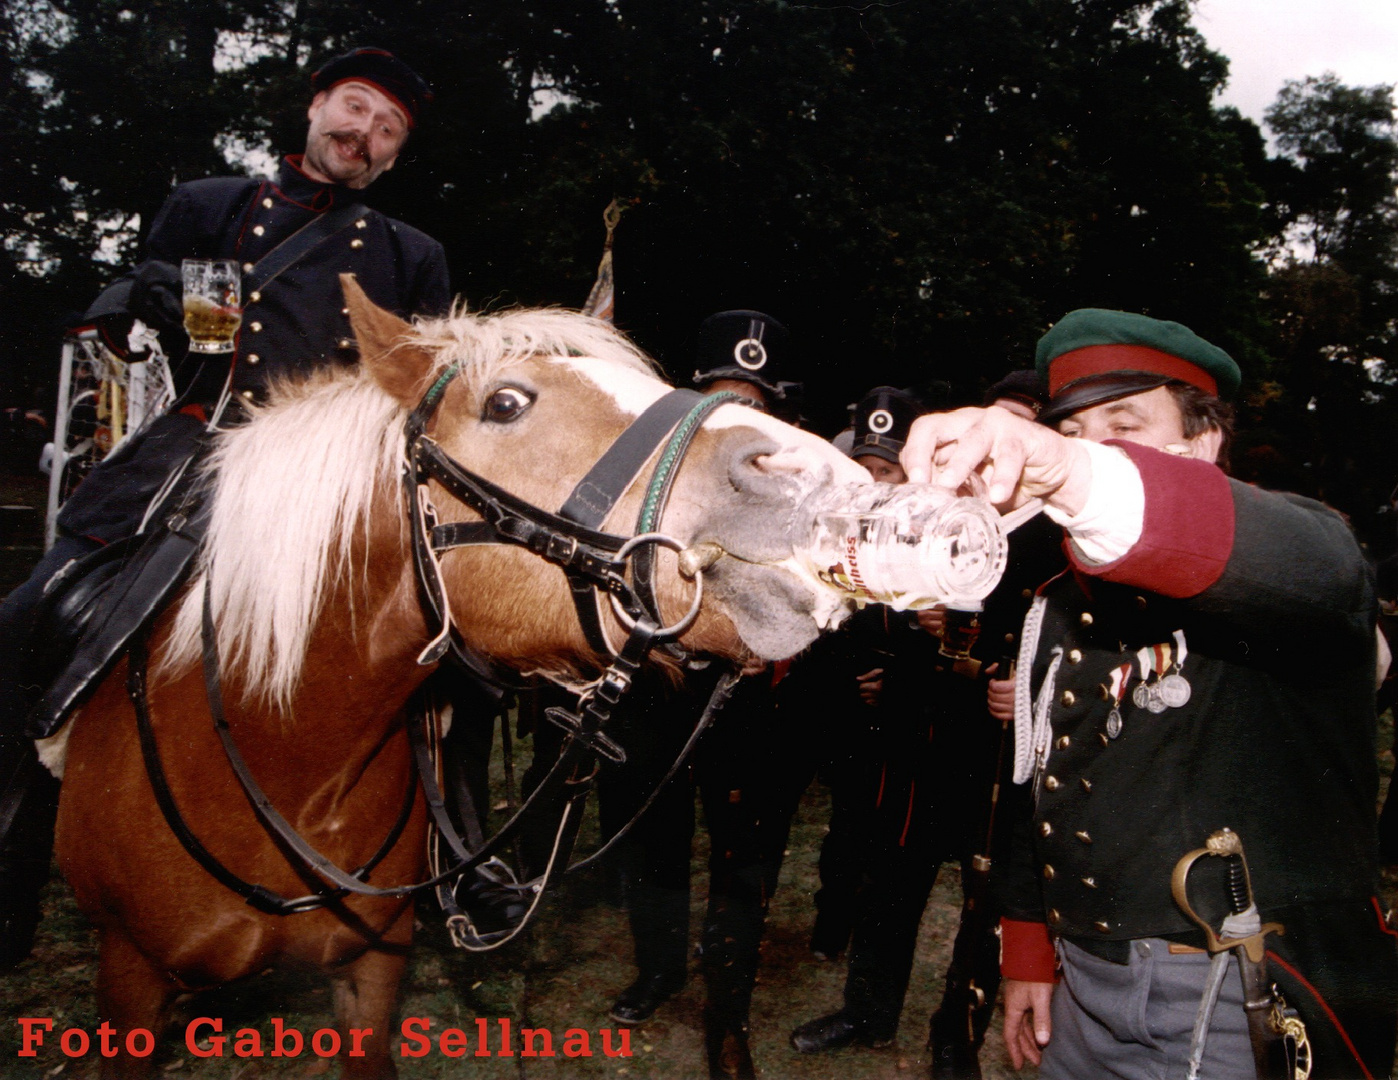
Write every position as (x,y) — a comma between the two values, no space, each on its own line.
(294,487)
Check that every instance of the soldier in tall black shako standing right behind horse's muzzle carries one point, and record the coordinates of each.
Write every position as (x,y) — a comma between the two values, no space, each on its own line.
(750,768)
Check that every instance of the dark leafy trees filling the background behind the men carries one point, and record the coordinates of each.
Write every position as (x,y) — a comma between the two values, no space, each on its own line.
(916,189)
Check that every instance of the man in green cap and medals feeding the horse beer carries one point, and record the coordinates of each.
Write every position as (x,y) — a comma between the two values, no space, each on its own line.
(1207,666)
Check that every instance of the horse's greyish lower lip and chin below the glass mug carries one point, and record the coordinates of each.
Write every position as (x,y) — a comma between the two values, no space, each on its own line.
(777,608)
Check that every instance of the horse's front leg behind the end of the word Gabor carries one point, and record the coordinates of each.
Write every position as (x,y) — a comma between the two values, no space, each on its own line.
(367,1001)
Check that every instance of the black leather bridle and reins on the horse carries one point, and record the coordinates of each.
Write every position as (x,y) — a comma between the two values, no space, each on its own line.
(596,567)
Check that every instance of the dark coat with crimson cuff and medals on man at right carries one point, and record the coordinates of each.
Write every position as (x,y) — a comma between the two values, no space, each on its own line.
(1277,741)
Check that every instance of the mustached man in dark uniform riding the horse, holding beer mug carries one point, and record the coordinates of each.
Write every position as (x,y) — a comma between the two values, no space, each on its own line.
(293,237)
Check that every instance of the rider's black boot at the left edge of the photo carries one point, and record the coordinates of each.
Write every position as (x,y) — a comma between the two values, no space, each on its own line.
(29,808)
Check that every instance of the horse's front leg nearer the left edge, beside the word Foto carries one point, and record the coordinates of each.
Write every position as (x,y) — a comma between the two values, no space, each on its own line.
(131,994)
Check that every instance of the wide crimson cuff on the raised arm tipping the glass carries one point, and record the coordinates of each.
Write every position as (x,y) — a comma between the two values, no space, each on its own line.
(1188,534)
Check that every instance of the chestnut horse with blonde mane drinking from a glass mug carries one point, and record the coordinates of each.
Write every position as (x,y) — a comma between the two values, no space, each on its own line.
(319,629)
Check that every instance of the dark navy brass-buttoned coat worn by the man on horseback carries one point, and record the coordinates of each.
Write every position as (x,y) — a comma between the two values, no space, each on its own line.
(297,323)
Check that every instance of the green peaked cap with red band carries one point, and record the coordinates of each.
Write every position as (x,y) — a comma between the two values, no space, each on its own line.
(1095,356)
